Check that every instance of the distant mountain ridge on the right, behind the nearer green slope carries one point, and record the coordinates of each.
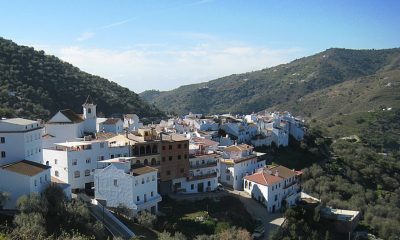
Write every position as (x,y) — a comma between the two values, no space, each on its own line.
(275,86)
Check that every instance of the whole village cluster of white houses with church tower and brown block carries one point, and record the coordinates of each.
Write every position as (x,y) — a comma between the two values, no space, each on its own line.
(125,163)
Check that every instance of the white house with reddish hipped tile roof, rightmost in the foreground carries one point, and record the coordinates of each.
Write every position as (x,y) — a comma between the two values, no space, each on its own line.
(274,187)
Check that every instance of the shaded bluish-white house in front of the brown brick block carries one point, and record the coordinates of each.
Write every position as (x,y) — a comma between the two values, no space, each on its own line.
(121,184)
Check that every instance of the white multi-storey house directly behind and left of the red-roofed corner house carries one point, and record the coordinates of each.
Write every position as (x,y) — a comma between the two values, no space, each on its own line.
(238,162)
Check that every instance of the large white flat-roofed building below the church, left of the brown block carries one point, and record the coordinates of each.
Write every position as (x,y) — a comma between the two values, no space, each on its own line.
(74,162)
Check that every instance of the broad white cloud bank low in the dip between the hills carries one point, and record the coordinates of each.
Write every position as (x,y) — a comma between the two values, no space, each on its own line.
(164,67)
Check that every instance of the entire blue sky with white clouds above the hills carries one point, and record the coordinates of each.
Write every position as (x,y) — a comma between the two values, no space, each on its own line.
(164,44)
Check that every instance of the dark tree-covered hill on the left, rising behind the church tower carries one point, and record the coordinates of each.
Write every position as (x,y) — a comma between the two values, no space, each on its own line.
(36,85)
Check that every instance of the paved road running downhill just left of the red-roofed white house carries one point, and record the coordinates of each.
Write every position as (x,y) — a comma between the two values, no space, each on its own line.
(271,221)
